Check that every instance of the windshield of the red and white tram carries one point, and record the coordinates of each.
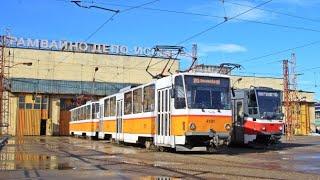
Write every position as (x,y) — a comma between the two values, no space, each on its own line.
(269,103)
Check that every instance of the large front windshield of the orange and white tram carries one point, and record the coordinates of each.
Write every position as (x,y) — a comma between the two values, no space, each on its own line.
(207,92)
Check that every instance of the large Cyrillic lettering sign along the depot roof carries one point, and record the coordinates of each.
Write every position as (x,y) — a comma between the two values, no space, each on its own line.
(63,45)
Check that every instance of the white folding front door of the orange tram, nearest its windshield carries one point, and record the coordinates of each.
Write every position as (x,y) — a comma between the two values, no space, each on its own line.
(163,120)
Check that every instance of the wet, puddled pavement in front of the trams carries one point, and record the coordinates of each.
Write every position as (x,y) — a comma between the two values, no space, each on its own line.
(72,158)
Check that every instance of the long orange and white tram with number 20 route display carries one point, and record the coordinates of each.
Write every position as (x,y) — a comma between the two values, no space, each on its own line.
(184,111)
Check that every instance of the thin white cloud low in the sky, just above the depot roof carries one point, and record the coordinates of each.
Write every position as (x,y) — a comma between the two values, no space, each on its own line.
(205,49)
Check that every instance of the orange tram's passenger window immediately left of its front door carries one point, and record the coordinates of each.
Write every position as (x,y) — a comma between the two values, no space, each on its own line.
(148,98)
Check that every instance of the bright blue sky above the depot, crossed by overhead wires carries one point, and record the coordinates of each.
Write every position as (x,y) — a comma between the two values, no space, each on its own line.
(235,41)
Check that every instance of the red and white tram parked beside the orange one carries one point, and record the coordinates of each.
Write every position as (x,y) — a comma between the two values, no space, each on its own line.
(258,117)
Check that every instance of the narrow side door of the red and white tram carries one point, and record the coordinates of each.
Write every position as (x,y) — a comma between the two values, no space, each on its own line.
(238,115)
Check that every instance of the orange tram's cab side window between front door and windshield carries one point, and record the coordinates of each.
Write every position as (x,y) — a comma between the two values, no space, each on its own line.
(180,101)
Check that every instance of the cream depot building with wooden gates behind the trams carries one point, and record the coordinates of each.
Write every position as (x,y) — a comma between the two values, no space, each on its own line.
(41,95)
